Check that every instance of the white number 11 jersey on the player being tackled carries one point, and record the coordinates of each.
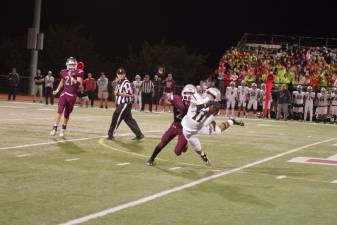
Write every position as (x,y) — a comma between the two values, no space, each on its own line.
(195,119)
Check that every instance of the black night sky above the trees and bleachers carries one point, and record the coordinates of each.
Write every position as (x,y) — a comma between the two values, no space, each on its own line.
(203,26)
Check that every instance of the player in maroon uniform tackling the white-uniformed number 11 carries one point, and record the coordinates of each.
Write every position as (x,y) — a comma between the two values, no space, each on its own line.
(180,107)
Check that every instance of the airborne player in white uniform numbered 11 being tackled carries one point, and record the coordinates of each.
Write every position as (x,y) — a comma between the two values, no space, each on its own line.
(199,120)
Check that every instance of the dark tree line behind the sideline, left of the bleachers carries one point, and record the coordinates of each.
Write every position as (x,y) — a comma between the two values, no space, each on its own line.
(62,42)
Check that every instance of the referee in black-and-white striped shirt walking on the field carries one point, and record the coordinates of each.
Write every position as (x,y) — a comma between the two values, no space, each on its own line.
(124,99)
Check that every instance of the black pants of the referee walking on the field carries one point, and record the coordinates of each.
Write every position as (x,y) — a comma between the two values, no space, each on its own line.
(123,112)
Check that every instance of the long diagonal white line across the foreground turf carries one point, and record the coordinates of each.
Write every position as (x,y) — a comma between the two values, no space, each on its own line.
(185,186)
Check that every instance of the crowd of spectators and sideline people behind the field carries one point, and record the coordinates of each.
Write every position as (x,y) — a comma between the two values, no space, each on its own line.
(241,78)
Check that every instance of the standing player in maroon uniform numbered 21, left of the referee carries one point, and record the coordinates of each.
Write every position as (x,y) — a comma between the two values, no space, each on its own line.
(71,81)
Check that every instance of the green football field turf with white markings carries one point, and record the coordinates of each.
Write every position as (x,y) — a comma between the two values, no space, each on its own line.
(85,179)
